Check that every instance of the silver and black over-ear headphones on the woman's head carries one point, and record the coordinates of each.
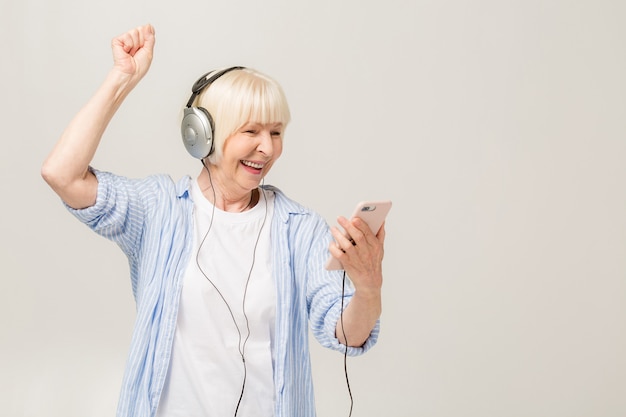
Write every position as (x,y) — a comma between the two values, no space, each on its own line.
(197,127)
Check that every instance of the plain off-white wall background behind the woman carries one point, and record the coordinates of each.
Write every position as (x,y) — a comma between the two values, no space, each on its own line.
(498,129)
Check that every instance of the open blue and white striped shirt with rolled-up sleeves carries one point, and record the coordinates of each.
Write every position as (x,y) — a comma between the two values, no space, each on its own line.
(151,221)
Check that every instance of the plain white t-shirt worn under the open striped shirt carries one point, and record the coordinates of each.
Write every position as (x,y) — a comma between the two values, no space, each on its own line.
(206,372)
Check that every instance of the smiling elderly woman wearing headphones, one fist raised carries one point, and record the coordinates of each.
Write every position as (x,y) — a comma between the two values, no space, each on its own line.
(227,273)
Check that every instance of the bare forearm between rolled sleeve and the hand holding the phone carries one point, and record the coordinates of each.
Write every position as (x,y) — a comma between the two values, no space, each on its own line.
(359,318)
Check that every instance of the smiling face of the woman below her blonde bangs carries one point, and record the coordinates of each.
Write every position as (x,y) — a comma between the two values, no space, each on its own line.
(249,154)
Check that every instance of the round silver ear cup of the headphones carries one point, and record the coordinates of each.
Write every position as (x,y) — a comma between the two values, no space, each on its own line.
(197,132)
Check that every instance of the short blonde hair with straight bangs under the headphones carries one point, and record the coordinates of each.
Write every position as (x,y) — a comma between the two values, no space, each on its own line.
(242,96)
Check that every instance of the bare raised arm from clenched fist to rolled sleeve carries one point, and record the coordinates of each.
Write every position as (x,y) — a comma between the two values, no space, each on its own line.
(66,169)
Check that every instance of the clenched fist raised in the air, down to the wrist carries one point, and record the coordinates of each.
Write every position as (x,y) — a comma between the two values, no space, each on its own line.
(133,51)
